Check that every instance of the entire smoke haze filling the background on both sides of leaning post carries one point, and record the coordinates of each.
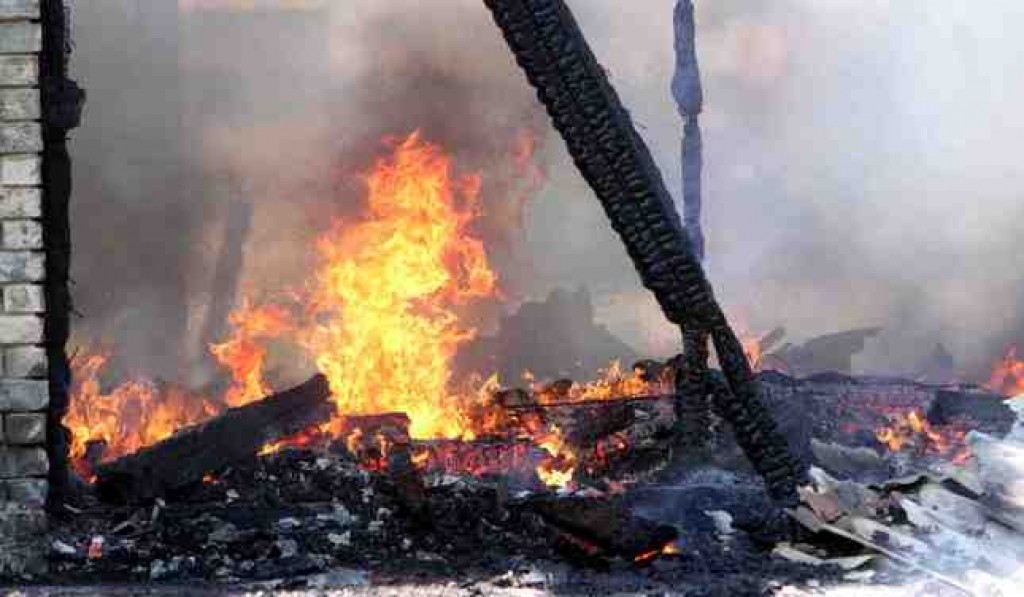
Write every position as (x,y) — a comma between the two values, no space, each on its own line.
(861,162)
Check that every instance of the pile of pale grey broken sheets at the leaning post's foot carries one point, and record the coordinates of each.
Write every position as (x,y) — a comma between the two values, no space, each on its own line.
(959,527)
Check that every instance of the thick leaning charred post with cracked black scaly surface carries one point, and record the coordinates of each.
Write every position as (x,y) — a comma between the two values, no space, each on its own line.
(615,161)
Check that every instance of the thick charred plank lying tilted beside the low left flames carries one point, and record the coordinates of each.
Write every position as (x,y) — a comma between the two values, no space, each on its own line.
(232,438)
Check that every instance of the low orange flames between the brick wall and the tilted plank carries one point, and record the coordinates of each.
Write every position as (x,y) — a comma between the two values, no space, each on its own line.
(134,415)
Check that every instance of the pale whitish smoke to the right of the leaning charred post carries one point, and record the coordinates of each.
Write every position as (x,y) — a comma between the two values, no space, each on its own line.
(861,168)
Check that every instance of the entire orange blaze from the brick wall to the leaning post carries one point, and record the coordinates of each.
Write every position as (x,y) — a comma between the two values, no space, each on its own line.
(383,320)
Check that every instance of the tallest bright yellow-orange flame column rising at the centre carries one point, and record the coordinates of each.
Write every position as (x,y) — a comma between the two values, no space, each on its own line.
(388,293)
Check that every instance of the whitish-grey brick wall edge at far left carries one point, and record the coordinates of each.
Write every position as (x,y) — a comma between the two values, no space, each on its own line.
(24,394)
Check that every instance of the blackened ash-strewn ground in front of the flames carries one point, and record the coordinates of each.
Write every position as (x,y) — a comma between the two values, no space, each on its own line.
(311,523)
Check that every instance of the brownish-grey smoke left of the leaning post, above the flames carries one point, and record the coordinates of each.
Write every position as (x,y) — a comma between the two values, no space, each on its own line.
(219,144)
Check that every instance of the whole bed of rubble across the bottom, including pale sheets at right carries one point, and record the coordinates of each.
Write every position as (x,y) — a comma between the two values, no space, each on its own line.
(638,520)
